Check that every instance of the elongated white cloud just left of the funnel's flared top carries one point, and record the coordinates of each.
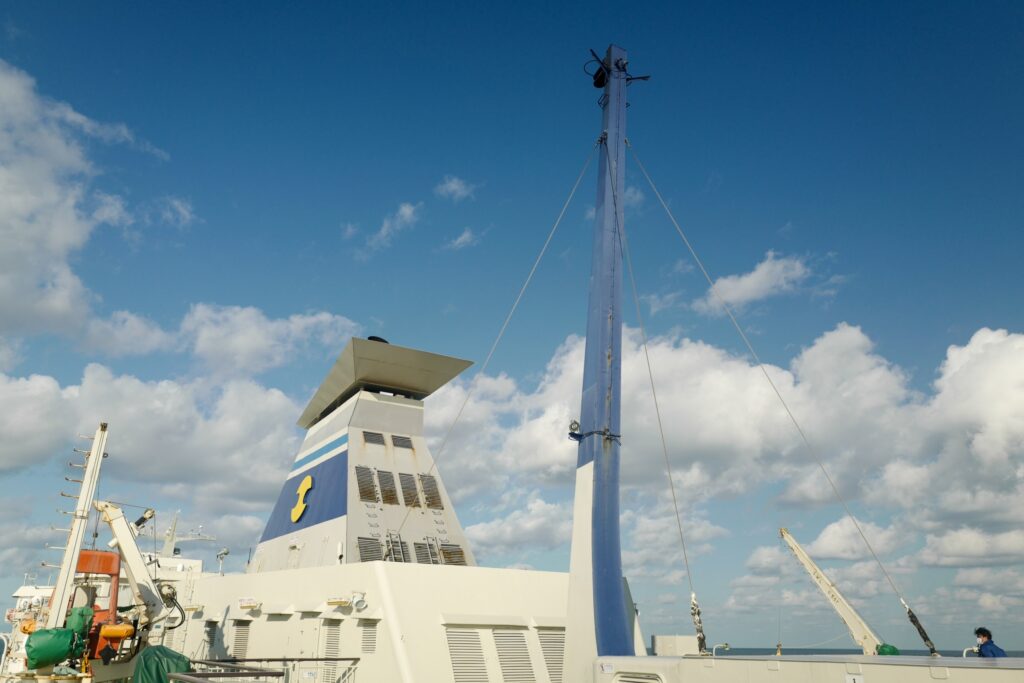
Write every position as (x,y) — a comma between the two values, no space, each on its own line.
(234,340)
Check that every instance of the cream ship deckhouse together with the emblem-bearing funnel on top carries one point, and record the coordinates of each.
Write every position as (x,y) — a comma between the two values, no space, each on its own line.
(364,569)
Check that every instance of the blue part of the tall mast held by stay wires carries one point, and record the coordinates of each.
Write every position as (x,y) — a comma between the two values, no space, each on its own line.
(600,415)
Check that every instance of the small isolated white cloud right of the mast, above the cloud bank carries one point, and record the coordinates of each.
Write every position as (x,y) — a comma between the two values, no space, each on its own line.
(771,278)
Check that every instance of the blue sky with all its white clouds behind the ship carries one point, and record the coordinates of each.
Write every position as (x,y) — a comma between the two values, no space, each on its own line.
(214,198)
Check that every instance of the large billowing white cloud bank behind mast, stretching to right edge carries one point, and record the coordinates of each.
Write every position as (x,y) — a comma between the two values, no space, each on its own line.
(728,435)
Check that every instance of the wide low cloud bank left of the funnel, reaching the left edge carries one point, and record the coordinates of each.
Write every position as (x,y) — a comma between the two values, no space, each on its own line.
(199,442)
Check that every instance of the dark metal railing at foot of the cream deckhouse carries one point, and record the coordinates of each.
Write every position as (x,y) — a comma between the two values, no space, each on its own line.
(290,670)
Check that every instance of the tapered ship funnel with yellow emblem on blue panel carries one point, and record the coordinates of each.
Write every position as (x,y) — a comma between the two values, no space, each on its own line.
(364,486)
